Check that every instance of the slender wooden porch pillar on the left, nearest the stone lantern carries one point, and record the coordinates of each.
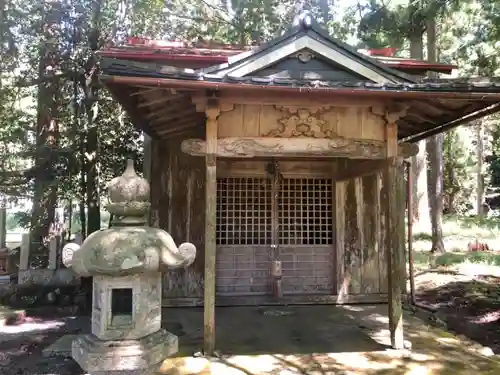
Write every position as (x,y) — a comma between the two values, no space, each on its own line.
(212,113)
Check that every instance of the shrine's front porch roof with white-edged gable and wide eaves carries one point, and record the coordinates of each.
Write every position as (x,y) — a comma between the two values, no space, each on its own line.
(158,97)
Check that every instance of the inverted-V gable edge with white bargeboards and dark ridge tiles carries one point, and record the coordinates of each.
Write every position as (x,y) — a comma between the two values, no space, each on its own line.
(308,35)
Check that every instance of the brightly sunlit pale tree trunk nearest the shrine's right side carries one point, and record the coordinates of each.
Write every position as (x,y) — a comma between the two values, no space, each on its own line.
(421,220)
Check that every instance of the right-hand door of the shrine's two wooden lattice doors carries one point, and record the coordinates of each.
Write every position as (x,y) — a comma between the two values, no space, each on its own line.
(305,215)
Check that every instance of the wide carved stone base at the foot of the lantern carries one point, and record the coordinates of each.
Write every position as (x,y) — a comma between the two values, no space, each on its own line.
(123,356)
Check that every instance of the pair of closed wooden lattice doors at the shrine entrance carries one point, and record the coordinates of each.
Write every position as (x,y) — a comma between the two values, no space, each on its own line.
(254,214)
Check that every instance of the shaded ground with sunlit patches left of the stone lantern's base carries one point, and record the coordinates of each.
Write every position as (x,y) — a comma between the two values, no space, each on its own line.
(22,344)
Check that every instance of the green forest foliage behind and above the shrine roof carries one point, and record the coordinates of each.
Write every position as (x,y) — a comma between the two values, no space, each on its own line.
(47,60)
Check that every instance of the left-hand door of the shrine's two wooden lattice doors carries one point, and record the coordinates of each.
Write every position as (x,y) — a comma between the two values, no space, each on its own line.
(244,218)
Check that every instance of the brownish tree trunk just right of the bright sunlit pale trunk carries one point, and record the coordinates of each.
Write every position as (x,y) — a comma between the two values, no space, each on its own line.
(435,160)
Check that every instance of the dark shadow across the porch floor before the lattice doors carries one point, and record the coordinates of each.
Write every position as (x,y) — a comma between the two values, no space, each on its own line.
(283,330)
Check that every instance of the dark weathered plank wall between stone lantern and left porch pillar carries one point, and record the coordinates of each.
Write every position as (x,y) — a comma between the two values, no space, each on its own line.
(181,207)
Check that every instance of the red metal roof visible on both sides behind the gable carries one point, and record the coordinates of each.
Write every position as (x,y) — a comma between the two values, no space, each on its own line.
(209,53)
